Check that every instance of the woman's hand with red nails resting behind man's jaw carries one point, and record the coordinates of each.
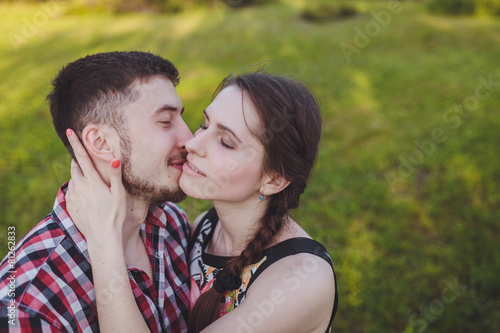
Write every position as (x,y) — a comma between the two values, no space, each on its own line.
(98,210)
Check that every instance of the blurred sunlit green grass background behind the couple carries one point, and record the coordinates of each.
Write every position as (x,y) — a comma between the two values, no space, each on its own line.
(405,194)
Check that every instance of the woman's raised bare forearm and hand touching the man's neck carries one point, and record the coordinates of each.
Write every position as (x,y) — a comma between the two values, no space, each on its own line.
(98,210)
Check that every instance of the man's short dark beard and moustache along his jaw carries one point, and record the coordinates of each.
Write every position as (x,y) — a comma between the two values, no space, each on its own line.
(144,189)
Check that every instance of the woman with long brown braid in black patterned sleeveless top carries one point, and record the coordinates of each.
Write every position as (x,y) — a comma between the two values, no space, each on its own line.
(252,157)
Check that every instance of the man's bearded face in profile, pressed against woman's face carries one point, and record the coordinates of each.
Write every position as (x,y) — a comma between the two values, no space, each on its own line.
(152,143)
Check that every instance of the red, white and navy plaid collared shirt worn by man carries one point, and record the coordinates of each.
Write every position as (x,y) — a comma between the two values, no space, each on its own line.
(49,287)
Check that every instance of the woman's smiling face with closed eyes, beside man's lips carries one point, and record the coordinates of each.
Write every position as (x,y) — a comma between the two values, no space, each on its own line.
(224,161)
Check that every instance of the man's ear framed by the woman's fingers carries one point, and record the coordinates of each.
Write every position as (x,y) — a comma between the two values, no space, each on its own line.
(96,139)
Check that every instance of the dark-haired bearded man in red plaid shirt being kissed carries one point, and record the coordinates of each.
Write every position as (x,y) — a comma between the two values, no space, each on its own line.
(122,105)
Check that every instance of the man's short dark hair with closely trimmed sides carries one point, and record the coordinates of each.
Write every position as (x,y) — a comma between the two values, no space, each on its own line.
(94,89)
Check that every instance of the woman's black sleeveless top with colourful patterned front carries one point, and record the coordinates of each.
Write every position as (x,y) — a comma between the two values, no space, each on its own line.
(203,266)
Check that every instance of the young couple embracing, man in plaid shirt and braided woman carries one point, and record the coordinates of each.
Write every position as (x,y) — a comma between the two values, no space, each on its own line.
(245,266)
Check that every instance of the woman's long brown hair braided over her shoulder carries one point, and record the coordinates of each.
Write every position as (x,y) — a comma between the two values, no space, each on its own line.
(291,130)
